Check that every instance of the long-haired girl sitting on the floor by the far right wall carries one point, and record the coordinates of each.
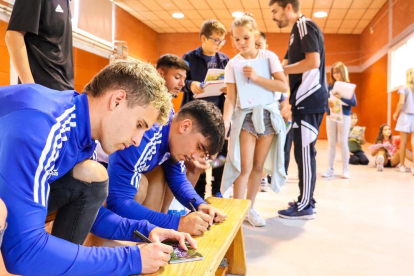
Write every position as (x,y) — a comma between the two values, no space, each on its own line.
(386,148)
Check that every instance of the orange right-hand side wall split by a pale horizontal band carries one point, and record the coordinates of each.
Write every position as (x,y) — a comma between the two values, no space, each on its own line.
(373,99)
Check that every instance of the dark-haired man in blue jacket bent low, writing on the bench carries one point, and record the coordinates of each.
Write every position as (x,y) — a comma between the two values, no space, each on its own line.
(196,131)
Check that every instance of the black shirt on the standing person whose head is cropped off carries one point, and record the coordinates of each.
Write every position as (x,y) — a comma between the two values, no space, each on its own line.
(48,40)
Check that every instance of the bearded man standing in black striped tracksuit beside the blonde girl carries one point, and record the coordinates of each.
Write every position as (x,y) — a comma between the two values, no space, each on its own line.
(305,61)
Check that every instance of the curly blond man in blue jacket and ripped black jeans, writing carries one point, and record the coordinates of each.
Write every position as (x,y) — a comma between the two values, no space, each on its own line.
(46,139)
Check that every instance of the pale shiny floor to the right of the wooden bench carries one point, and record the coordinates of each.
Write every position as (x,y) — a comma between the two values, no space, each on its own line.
(364,226)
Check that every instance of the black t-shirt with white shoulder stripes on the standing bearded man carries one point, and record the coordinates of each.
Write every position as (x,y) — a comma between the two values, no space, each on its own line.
(308,91)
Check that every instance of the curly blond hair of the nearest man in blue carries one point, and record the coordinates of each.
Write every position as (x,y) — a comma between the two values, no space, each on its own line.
(140,81)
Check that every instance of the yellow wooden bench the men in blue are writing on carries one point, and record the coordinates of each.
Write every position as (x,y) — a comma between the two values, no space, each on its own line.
(223,240)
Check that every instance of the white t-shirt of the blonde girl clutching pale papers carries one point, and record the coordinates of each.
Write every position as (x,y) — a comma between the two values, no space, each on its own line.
(274,65)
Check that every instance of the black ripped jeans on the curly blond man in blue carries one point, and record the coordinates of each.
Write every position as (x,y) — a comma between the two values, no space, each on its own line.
(77,204)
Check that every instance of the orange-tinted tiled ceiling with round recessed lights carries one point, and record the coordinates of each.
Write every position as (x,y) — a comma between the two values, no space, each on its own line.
(344,16)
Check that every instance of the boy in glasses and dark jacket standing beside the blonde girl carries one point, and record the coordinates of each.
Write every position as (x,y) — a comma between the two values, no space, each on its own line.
(206,57)
